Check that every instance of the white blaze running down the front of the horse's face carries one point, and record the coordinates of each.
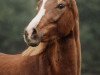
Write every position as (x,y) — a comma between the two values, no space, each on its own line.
(36,20)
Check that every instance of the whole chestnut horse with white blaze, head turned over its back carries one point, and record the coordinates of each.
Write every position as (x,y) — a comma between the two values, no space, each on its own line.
(53,37)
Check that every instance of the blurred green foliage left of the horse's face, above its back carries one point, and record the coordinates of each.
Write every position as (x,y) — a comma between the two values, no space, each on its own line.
(14,16)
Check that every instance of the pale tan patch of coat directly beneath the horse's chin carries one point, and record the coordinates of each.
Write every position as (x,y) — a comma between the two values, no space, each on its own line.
(32,51)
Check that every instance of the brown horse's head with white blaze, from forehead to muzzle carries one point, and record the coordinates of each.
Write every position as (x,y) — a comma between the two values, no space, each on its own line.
(55,19)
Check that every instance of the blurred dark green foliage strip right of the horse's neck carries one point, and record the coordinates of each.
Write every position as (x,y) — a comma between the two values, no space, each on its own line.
(90,35)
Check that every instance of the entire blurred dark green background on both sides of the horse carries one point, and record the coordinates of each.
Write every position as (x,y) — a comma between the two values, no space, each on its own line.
(16,14)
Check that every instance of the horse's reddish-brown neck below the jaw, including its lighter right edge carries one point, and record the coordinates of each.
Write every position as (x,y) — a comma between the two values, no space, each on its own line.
(65,53)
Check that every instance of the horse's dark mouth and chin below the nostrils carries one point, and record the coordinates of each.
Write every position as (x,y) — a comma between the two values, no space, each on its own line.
(36,39)
